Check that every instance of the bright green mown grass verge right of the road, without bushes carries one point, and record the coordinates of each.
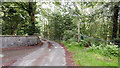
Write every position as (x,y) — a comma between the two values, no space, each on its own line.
(84,58)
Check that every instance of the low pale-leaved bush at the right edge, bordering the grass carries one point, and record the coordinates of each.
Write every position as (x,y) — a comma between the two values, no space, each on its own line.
(106,50)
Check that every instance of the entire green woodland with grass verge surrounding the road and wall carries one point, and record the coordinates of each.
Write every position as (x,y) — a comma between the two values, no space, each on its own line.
(89,29)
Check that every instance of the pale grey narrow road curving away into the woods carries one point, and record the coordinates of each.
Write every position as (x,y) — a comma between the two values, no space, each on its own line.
(44,56)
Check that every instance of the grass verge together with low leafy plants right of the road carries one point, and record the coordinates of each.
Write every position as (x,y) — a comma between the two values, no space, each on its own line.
(102,55)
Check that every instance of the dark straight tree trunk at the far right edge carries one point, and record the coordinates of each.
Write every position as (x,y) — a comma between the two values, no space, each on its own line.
(115,22)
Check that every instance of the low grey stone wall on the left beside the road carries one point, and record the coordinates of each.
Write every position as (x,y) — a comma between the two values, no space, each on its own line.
(16,41)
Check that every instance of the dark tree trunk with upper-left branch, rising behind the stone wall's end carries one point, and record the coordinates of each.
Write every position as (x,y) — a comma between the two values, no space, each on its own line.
(30,8)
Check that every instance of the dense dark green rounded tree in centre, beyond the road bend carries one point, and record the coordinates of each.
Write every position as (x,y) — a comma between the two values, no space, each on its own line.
(59,25)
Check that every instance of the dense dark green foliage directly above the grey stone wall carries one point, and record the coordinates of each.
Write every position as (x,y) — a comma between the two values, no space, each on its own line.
(17,19)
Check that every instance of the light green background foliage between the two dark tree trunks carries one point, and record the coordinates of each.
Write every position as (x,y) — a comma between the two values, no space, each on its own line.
(95,18)
